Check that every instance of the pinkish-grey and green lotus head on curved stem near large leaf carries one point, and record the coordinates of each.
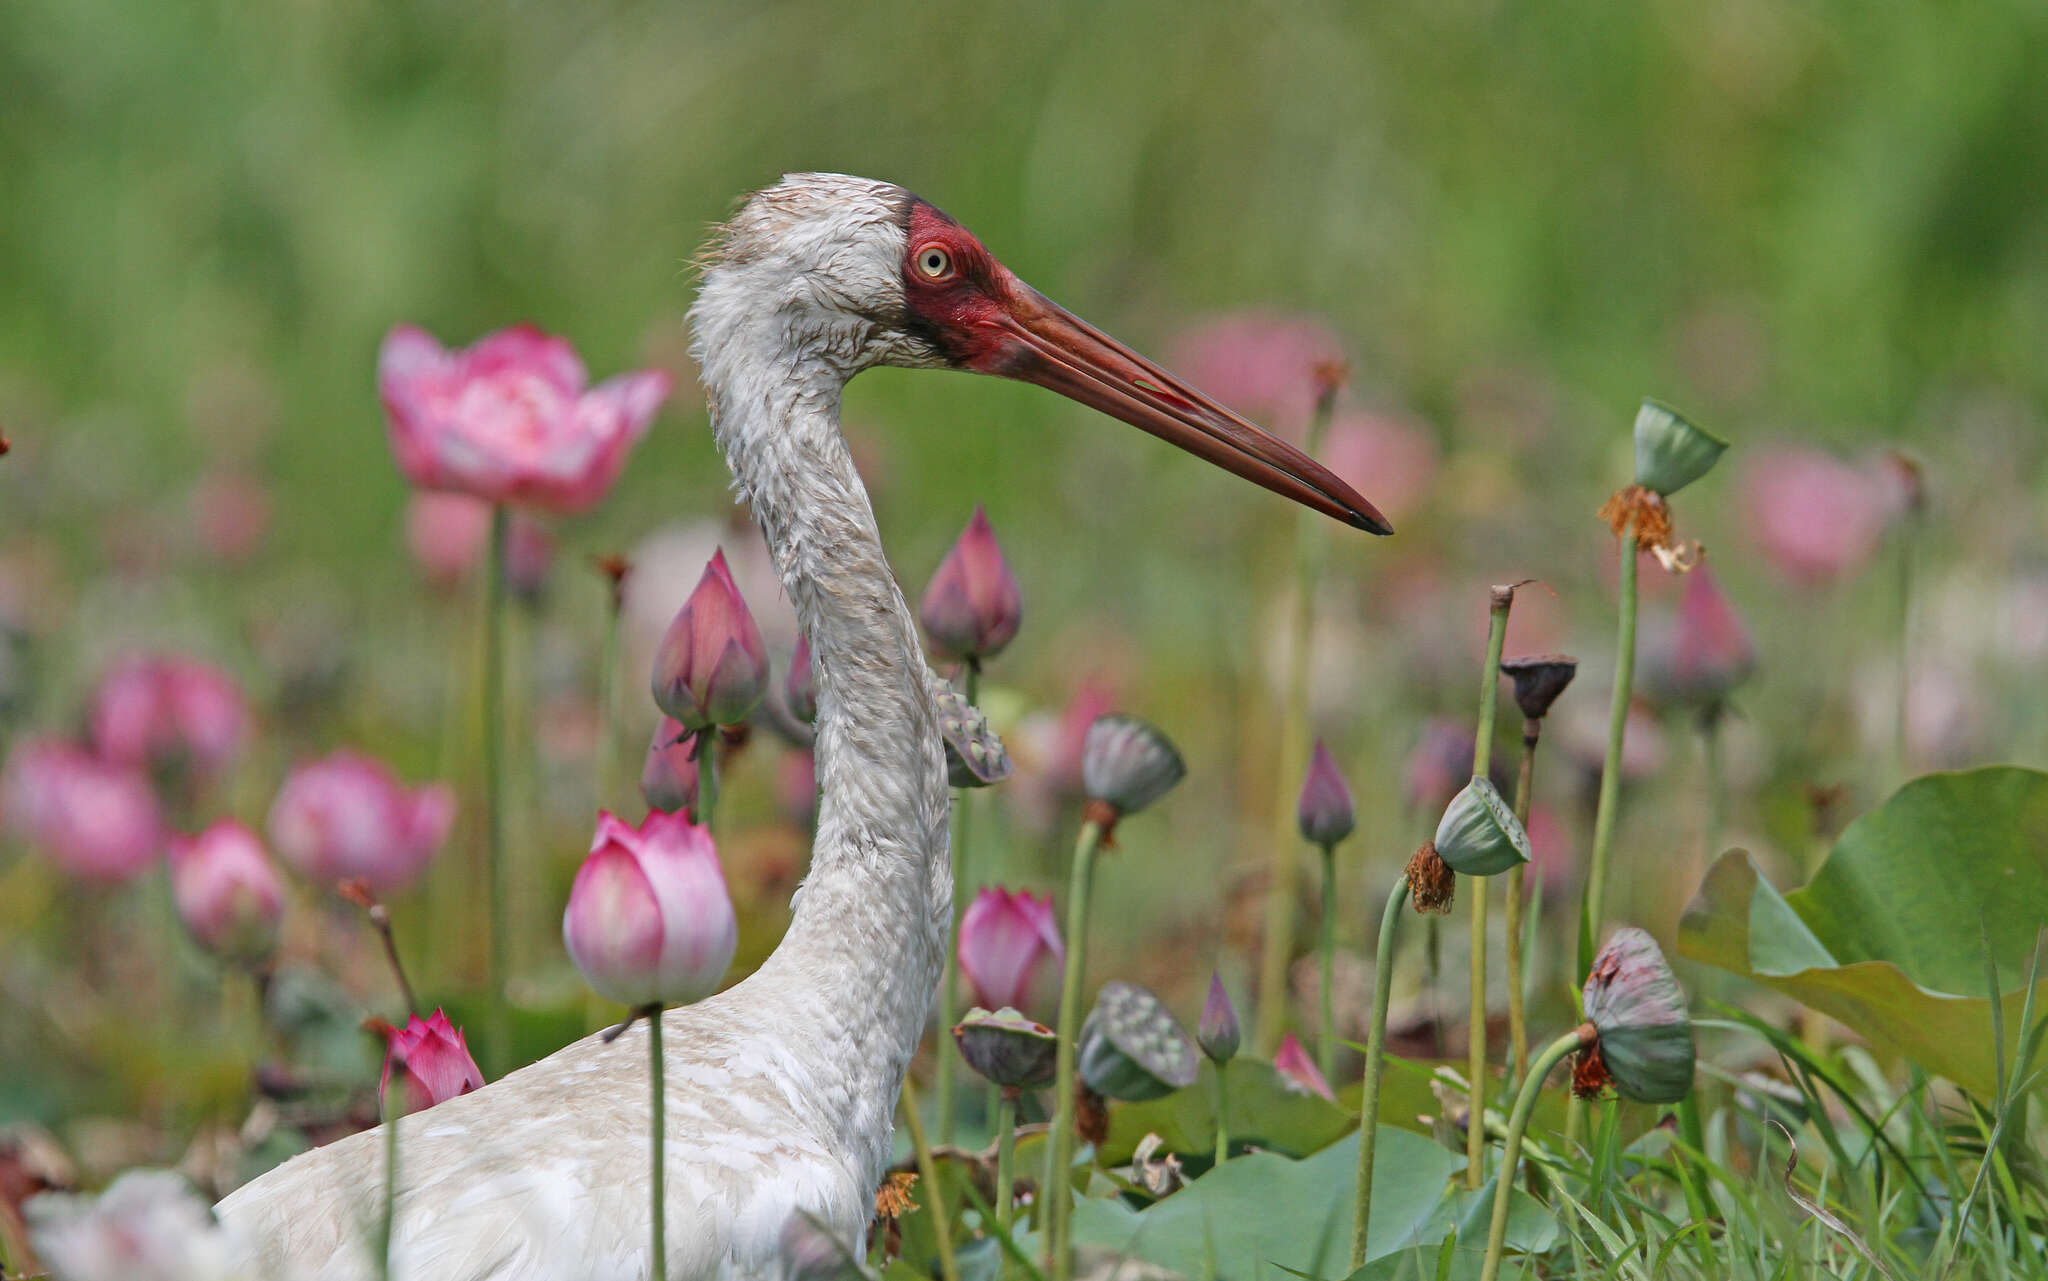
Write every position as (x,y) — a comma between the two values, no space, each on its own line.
(1646,1034)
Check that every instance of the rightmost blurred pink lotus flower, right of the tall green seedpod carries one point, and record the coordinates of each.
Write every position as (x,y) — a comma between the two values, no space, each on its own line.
(1816,515)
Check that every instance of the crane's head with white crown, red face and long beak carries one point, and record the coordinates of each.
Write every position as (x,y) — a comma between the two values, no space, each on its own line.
(861,274)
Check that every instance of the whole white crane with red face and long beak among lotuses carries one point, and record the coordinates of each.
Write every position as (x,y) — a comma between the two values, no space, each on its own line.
(781,1089)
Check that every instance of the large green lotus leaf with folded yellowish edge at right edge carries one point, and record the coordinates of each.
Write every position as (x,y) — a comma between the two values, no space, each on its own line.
(1891,936)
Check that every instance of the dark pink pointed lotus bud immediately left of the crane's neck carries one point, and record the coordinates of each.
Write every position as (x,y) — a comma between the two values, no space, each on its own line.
(712,667)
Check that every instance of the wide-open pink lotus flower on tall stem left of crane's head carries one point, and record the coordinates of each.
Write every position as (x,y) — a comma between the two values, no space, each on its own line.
(509,419)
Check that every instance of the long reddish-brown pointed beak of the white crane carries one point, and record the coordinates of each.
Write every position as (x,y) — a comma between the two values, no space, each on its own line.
(1062,352)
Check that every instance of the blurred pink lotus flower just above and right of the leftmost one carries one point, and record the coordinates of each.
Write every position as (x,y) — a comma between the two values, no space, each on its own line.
(169,712)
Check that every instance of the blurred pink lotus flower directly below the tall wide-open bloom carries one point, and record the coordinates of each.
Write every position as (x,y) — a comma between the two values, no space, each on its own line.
(349,819)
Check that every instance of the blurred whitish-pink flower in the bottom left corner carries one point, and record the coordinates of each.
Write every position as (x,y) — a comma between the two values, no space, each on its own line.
(146,1227)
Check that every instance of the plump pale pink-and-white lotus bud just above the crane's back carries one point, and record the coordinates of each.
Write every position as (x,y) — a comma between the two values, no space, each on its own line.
(650,919)
